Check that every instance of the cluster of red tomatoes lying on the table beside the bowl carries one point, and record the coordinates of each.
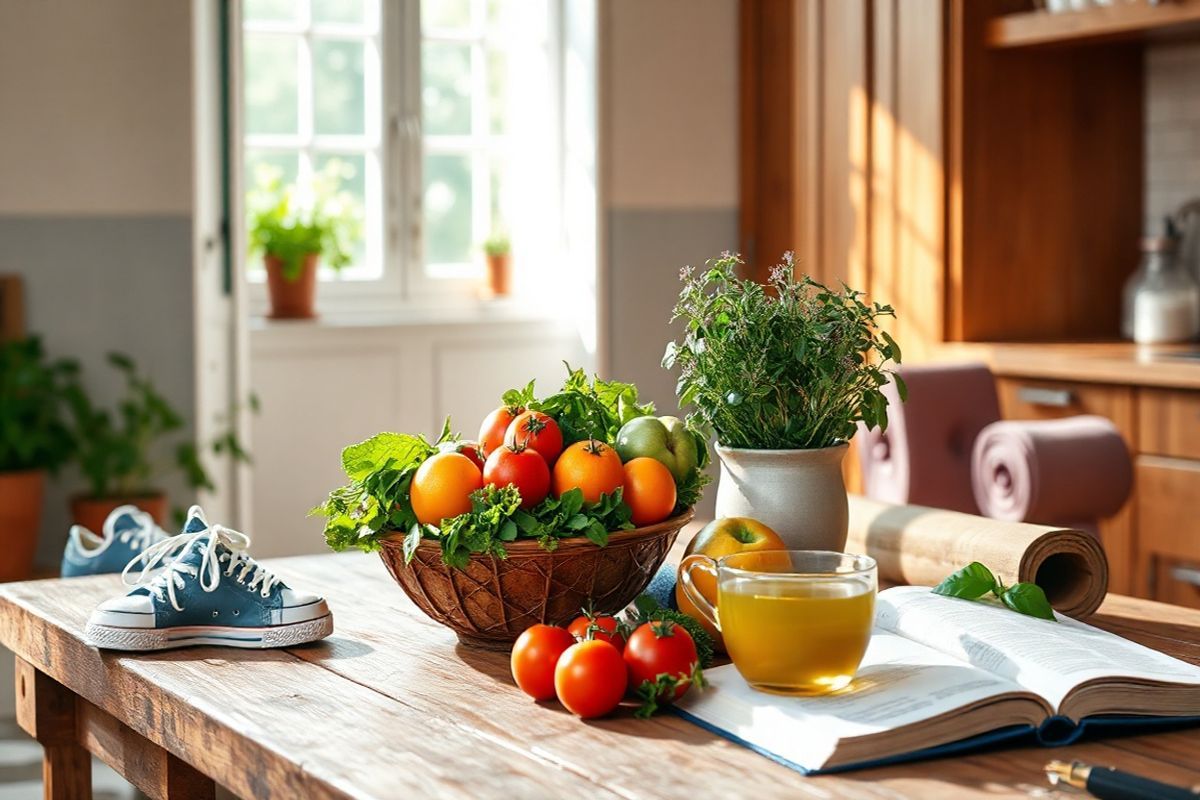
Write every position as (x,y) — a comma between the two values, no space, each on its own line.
(592,665)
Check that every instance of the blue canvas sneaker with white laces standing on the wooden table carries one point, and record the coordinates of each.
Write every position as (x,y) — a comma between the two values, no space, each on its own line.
(212,593)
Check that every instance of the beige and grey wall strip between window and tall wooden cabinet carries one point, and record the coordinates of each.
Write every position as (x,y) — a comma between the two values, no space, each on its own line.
(671,160)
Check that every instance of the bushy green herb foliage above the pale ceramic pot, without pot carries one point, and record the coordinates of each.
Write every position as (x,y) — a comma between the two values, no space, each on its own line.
(791,365)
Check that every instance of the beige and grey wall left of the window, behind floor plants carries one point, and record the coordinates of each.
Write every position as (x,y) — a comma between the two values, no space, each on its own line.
(97,195)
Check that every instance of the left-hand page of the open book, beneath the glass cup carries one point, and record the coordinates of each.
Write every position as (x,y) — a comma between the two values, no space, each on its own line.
(901,683)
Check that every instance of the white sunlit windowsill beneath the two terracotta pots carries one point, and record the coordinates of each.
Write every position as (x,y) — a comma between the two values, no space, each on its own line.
(479,312)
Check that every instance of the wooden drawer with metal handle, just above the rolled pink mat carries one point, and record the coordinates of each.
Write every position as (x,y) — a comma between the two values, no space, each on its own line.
(1049,400)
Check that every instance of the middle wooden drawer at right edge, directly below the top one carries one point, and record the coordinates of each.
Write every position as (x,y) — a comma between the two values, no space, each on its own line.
(1168,524)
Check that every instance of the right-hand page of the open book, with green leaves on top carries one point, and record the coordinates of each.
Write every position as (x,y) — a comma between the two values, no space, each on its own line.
(1049,659)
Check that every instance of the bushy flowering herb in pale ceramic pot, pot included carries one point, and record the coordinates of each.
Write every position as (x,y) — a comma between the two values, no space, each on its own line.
(782,374)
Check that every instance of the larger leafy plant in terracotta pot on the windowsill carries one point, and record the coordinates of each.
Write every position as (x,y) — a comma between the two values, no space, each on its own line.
(296,226)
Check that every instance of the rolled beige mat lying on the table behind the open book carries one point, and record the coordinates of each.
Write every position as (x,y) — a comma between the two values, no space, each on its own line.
(914,545)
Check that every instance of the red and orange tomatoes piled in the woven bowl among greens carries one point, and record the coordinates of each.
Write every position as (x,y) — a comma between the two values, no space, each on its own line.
(525,449)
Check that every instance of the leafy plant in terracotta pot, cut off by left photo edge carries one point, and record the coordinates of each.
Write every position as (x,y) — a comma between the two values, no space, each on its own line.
(34,440)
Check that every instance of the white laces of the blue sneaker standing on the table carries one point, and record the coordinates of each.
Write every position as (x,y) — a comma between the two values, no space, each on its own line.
(211,572)
